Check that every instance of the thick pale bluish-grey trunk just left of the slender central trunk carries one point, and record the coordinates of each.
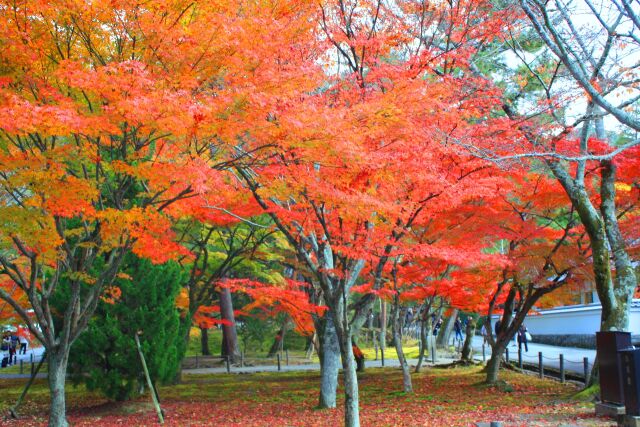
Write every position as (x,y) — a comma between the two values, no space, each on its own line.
(329,364)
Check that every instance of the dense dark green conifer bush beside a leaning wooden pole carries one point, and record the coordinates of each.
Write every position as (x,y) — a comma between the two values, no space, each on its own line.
(105,357)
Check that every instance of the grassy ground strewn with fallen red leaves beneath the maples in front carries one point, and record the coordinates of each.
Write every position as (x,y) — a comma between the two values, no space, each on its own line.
(443,397)
